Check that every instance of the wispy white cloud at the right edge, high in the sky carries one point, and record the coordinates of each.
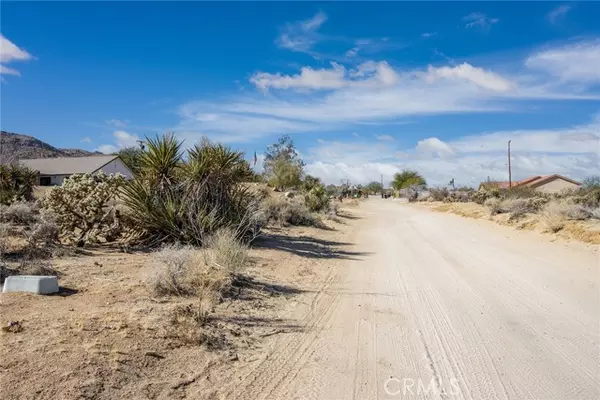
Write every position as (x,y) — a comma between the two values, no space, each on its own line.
(577,62)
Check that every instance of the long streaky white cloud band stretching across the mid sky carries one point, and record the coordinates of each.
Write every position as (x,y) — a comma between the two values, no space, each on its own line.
(374,92)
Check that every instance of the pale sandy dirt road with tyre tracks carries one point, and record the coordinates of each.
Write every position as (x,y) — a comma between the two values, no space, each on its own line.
(432,305)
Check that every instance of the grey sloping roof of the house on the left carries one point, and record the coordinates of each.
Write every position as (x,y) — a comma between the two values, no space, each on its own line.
(68,165)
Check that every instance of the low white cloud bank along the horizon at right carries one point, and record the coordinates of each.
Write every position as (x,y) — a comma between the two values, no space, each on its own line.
(572,151)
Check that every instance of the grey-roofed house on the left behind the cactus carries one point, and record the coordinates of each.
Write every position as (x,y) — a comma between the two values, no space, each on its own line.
(53,171)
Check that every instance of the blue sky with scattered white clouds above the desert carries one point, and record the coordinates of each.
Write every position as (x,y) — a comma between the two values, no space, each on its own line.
(364,89)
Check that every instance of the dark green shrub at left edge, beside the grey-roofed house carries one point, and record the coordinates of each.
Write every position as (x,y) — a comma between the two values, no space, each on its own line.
(16,182)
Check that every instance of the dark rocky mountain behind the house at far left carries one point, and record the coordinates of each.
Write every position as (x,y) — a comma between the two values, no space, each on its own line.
(15,146)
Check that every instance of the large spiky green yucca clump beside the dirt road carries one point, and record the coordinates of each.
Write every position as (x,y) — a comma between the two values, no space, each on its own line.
(177,199)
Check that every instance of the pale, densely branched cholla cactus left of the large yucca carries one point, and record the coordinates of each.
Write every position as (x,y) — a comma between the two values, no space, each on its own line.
(81,204)
